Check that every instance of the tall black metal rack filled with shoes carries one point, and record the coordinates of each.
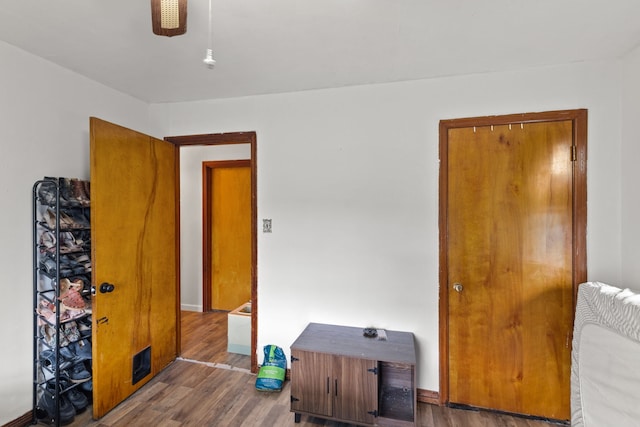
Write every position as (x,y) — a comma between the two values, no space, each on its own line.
(62,385)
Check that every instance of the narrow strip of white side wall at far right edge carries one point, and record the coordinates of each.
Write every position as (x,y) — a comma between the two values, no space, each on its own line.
(630,171)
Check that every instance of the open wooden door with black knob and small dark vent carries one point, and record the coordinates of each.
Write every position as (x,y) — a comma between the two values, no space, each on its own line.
(134,248)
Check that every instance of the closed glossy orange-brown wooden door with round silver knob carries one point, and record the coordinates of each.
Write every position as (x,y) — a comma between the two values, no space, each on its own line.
(510,263)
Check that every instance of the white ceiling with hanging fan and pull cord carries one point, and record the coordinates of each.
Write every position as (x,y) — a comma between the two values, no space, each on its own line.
(271,46)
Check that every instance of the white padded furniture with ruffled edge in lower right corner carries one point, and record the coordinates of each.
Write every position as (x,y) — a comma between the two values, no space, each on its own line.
(605,360)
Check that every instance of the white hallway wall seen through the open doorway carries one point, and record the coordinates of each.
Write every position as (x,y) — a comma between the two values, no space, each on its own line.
(191,158)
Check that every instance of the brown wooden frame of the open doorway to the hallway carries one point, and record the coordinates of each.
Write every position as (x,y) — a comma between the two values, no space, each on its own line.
(226,139)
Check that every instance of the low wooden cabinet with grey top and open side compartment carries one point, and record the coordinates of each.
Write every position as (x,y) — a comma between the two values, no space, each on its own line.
(337,373)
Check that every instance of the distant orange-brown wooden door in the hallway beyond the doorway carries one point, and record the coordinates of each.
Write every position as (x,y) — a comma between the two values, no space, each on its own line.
(228,191)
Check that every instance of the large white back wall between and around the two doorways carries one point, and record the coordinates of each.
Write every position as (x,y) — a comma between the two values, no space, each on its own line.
(350,178)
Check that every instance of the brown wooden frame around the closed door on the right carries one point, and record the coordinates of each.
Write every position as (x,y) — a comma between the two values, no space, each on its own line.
(579,121)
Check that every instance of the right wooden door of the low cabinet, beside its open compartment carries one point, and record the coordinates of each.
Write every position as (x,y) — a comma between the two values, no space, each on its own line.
(355,389)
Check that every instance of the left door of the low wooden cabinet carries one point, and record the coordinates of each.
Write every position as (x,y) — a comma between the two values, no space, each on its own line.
(311,383)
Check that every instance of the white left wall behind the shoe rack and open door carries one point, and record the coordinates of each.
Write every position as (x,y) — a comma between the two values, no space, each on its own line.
(44,129)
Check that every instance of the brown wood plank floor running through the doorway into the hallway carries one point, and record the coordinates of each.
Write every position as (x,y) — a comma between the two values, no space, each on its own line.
(197,394)
